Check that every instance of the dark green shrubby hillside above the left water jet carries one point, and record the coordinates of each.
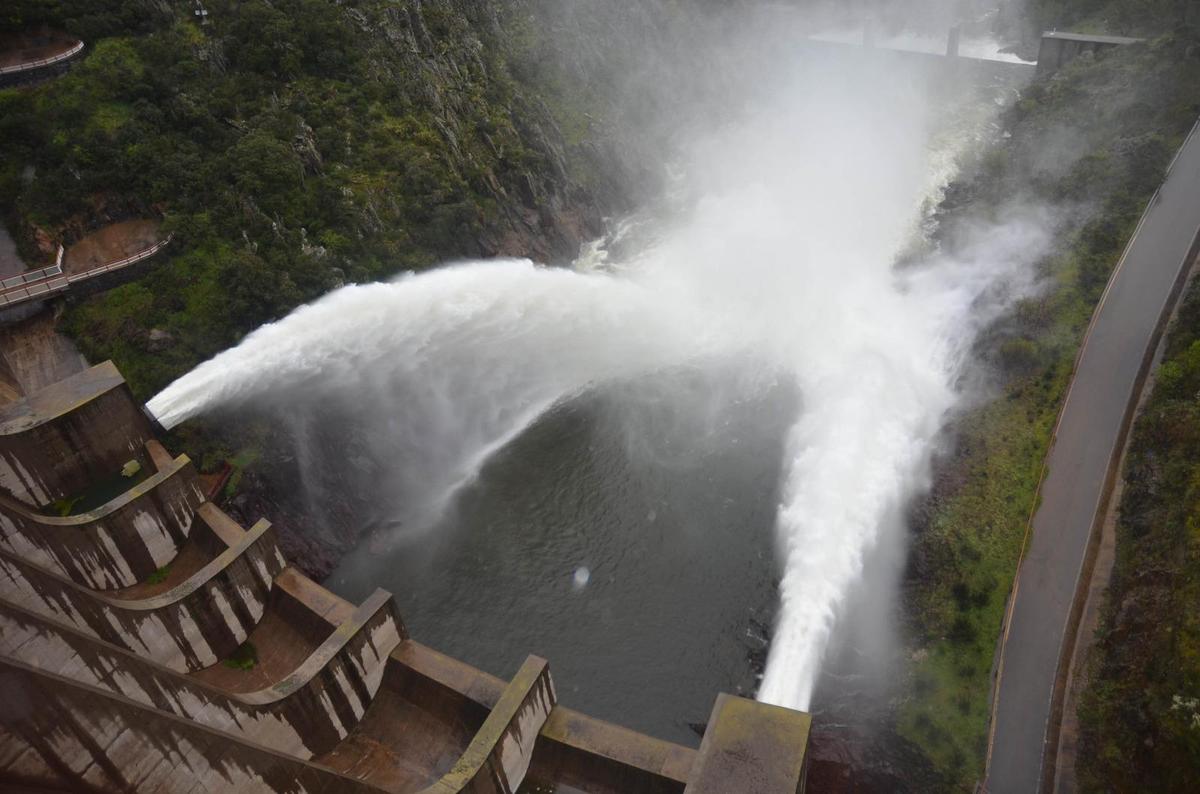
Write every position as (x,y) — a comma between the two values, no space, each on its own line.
(291,146)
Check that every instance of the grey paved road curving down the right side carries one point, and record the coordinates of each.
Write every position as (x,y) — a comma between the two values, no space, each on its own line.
(1088,437)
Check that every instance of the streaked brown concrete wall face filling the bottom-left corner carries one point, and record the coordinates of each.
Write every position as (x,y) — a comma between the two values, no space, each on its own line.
(63,735)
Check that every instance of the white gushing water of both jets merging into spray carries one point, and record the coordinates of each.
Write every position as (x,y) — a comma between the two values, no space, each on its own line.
(779,264)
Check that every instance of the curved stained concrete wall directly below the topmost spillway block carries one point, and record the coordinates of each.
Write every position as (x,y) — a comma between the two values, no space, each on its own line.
(117,545)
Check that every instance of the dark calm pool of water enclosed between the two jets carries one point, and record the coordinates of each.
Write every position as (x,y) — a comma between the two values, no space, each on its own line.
(665,492)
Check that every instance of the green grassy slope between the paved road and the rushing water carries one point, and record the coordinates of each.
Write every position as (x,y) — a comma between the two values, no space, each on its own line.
(1124,116)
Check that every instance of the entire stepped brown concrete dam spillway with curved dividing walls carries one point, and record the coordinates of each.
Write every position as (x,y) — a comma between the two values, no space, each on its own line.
(148,643)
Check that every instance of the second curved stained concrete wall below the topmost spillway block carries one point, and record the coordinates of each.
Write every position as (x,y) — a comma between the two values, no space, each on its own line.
(191,627)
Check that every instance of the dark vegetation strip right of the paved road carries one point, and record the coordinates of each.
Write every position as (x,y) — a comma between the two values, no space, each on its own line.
(1141,712)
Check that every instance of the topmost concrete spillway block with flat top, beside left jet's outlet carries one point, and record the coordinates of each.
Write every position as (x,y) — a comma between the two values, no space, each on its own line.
(59,441)
